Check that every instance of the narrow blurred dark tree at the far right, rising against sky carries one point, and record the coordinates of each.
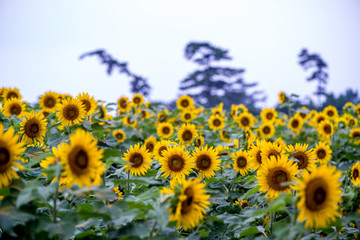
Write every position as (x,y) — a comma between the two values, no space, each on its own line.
(307,60)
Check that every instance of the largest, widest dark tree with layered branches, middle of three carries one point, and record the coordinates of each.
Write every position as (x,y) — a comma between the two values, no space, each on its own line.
(214,84)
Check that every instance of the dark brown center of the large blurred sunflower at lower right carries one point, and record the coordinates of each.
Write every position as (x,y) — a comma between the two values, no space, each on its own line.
(315,194)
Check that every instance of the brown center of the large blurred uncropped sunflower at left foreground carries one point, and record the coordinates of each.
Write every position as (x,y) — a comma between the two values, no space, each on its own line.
(78,160)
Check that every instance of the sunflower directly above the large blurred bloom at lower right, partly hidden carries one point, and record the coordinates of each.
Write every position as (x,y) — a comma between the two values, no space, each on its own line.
(305,158)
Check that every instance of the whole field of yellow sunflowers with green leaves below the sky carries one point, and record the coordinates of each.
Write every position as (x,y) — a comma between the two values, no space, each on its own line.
(72,167)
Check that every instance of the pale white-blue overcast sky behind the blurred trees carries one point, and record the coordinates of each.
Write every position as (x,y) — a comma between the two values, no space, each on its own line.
(40,42)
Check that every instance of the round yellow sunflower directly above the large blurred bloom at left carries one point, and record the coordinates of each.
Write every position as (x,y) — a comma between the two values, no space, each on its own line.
(70,112)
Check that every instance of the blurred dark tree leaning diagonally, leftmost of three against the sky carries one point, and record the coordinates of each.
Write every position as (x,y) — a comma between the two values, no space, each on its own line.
(138,84)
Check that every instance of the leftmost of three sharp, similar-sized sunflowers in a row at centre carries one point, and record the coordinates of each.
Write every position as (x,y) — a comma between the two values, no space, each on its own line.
(139,160)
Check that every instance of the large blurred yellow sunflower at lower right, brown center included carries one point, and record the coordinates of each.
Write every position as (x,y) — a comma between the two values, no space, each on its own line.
(319,194)
